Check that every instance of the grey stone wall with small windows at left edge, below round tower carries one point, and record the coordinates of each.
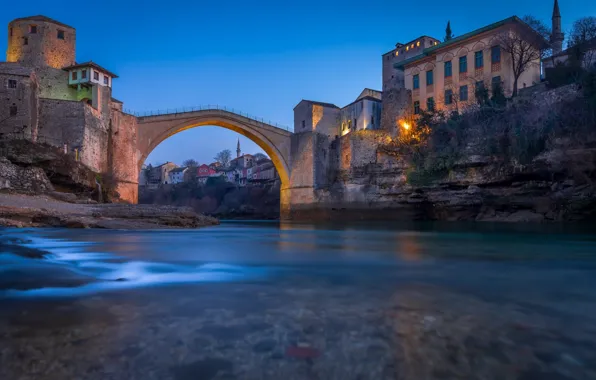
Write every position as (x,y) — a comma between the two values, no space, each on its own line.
(18,106)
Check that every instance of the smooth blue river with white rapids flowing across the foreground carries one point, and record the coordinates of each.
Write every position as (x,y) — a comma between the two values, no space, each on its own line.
(263,300)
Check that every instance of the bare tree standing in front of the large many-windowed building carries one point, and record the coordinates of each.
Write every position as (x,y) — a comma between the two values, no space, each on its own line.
(525,48)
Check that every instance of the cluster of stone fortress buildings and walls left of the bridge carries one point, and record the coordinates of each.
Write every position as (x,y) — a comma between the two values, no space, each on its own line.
(47,97)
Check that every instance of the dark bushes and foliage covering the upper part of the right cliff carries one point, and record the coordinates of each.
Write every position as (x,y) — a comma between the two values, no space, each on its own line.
(511,133)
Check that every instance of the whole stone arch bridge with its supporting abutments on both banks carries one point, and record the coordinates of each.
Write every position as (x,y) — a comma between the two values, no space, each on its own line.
(292,154)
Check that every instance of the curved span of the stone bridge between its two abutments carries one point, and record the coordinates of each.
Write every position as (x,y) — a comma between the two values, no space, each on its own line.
(152,130)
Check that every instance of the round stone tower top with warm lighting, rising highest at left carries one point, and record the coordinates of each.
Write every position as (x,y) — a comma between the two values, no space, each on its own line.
(39,42)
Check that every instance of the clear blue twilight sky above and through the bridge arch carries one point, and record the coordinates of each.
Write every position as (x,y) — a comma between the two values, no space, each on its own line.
(261,57)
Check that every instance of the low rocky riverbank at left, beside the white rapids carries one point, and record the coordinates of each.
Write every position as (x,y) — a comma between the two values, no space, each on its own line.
(19,210)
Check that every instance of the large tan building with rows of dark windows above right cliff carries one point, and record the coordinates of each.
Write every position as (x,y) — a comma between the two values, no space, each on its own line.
(447,75)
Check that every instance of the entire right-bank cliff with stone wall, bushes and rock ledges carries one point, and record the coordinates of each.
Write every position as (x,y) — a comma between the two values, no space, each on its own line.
(535,161)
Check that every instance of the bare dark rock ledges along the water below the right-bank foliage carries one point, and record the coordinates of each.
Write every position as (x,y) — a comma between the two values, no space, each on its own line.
(480,189)
